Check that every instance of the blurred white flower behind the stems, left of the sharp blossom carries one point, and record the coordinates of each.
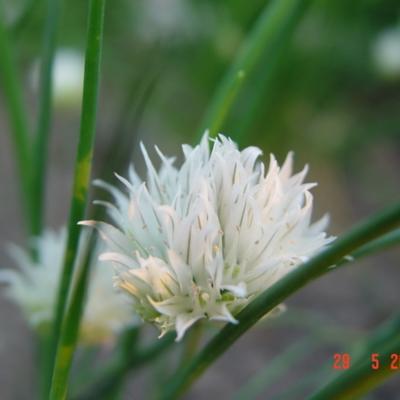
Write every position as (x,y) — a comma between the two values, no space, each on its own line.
(34,288)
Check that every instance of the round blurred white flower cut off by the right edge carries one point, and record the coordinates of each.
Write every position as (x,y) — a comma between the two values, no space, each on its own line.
(386,53)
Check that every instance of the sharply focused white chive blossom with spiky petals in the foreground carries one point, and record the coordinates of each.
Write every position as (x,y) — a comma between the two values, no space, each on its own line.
(202,240)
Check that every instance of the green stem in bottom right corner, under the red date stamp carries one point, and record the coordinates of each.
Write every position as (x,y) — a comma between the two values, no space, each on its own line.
(361,378)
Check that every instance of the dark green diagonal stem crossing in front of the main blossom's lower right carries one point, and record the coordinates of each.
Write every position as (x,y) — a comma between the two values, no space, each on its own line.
(270,298)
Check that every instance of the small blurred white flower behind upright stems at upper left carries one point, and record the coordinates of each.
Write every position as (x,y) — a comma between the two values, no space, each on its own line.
(67,78)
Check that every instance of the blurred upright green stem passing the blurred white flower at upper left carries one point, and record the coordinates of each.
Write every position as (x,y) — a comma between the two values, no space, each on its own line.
(42,133)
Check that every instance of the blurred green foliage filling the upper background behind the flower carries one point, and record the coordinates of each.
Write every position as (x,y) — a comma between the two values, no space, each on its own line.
(327,100)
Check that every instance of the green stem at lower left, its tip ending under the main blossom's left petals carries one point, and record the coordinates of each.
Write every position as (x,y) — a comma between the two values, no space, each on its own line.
(70,329)
